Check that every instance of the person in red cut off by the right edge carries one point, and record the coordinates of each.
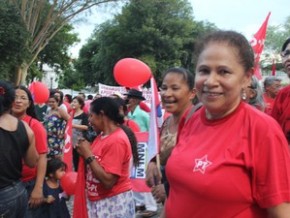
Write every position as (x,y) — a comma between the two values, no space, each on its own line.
(281,108)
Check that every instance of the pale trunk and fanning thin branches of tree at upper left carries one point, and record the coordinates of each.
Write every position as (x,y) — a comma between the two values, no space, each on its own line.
(43,19)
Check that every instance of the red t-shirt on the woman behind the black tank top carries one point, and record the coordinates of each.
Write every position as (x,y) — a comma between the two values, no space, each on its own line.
(40,144)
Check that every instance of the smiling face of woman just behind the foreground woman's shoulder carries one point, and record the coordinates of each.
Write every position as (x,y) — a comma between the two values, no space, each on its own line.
(175,93)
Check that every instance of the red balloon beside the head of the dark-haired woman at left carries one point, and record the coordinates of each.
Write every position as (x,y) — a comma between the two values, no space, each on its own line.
(39,91)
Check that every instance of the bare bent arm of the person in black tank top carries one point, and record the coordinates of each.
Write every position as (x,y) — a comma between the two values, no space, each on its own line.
(31,155)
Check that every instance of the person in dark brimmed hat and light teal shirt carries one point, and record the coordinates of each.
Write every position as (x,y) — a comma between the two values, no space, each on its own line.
(134,97)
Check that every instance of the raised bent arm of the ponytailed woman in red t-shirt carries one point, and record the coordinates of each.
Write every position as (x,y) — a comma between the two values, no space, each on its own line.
(107,179)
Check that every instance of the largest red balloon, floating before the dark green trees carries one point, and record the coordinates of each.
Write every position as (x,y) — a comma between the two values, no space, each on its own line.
(130,72)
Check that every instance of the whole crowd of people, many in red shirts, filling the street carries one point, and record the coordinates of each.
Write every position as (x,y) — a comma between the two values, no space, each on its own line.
(224,147)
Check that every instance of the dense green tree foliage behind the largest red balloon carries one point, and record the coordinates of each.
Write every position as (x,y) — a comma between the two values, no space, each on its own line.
(160,33)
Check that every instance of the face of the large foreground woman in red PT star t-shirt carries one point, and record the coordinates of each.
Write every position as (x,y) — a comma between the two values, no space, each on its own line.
(220,78)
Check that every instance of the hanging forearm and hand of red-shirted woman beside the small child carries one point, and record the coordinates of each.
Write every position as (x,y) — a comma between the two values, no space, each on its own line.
(36,197)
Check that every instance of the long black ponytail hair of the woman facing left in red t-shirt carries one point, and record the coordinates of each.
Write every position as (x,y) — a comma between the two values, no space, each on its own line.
(110,109)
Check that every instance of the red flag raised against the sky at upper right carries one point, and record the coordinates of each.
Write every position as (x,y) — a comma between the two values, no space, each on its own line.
(257,43)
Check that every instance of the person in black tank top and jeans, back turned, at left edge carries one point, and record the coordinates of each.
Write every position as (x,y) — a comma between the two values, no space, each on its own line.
(17,144)
